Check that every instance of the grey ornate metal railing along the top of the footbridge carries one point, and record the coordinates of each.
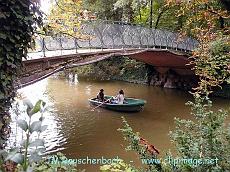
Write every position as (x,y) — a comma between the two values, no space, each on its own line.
(115,35)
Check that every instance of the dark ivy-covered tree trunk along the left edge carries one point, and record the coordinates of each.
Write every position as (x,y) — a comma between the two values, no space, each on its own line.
(15,39)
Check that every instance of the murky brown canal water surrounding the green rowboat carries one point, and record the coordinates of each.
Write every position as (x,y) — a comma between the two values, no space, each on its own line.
(78,132)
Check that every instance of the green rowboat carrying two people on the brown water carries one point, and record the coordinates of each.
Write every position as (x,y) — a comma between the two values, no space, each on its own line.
(130,105)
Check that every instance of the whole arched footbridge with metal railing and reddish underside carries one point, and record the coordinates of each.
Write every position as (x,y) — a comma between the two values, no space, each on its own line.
(99,40)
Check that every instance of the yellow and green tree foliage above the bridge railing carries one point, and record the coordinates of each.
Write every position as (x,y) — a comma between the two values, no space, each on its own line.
(66,16)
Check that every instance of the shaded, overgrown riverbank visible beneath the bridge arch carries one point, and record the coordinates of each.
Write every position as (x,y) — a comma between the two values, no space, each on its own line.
(130,70)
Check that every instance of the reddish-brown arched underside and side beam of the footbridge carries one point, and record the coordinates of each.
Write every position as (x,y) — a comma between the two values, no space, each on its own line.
(162,60)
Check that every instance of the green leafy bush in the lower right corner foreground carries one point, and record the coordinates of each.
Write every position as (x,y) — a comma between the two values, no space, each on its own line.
(206,137)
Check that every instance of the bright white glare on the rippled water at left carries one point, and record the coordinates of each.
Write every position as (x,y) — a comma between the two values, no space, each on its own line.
(53,136)
